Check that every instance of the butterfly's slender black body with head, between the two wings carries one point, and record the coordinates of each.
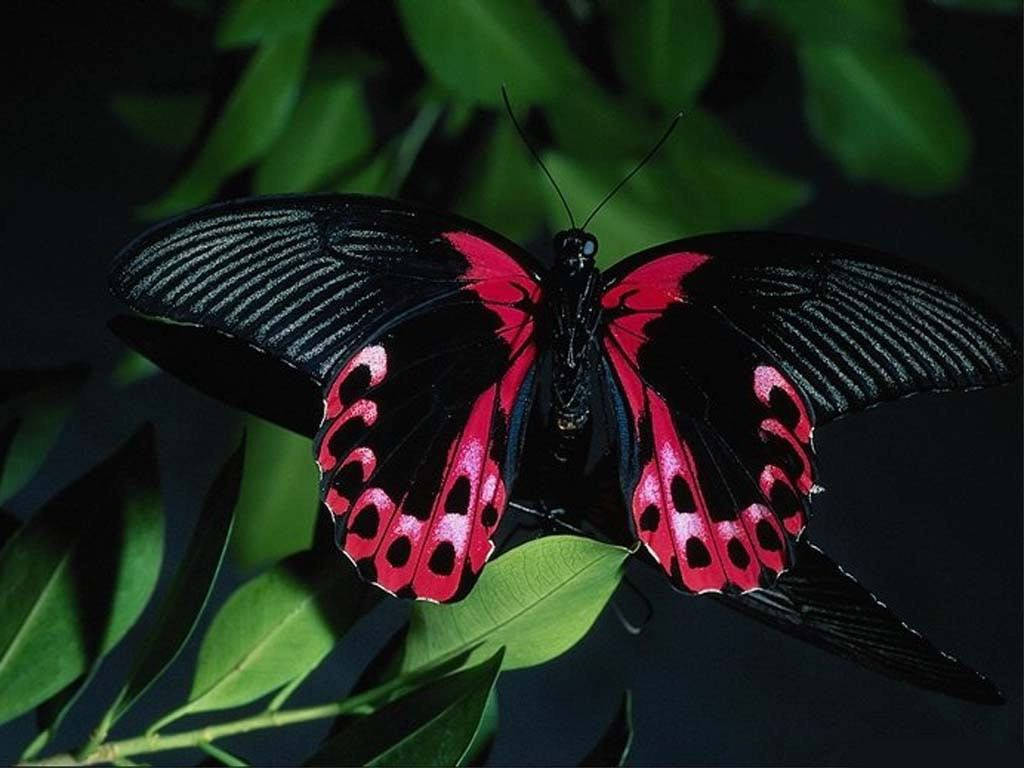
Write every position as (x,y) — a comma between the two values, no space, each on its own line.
(573,313)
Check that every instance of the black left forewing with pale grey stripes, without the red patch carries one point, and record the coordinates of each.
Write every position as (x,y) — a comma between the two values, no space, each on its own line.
(307,280)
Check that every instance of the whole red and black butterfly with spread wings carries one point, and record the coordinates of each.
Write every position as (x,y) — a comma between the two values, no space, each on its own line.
(456,373)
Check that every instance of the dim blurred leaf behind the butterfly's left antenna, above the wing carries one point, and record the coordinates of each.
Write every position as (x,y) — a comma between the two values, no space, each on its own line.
(504,192)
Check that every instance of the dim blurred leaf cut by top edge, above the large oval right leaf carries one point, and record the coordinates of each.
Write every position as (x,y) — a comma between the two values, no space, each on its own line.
(866,23)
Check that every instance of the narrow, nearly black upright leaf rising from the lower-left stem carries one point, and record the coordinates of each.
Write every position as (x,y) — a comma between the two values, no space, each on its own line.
(188,595)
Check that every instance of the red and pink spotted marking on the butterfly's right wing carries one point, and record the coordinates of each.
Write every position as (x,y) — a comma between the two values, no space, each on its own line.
(703,549)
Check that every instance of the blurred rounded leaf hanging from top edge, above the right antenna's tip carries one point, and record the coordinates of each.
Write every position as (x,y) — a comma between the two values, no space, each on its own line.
(667,51)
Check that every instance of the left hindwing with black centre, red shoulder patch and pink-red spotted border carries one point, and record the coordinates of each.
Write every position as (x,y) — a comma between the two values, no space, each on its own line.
(421,432)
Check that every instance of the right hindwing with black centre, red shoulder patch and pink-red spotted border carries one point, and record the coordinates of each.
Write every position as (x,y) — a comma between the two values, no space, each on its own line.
(722,439)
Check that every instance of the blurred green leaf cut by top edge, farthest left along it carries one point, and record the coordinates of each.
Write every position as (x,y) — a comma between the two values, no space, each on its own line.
(253,22)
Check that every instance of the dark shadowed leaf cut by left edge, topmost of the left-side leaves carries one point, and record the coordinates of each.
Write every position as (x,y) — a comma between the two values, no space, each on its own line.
(34,406)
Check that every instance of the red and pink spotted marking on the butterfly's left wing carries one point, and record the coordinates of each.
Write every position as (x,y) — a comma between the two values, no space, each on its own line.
(430,556)
